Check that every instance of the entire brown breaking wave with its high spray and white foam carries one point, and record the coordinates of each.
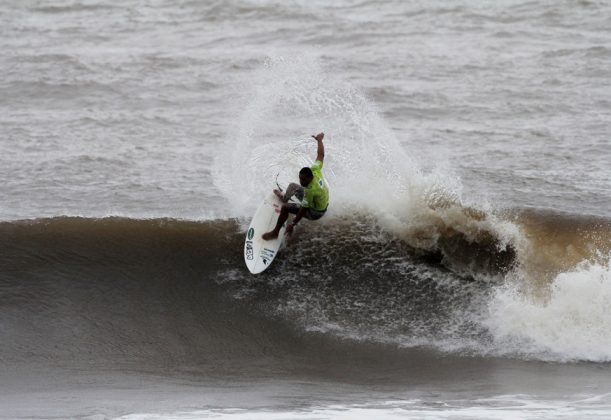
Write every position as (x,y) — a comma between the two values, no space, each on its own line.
(401,259)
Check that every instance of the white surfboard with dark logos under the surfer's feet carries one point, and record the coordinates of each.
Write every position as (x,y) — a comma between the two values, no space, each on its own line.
(259,253)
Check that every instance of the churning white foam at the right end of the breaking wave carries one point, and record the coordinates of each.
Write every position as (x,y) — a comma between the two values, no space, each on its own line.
(572,324)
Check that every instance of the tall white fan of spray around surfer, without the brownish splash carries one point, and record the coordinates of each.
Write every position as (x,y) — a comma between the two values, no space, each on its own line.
(290,99)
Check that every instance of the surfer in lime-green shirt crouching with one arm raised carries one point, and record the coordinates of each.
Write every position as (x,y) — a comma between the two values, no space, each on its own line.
(312,191)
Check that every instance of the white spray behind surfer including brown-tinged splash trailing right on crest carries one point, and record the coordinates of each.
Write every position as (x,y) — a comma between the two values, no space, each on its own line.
(370,173)
